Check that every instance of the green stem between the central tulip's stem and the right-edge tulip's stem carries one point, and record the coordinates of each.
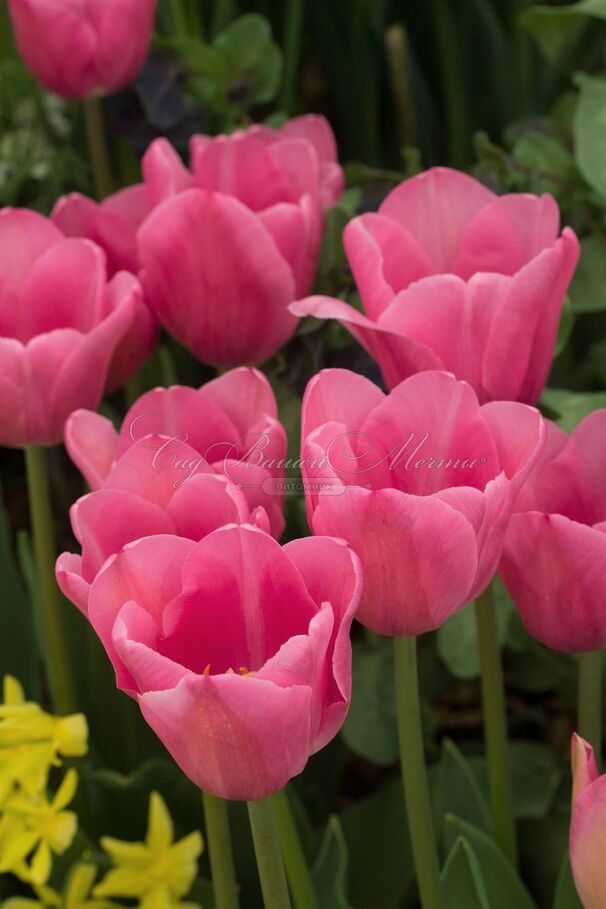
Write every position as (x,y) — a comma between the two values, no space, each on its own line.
(495,725)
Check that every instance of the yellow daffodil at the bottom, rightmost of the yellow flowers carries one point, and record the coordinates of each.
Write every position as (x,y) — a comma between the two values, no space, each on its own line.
(158,871)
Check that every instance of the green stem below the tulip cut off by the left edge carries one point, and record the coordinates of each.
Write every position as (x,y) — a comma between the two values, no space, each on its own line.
(58,662)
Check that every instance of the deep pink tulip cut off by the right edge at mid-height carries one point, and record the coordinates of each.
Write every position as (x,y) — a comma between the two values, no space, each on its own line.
(555,550)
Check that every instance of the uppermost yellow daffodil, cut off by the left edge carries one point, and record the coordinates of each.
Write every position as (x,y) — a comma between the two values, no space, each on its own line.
(32,740)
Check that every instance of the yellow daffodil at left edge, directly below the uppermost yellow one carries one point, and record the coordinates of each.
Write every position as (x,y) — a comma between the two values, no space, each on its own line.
(34,826)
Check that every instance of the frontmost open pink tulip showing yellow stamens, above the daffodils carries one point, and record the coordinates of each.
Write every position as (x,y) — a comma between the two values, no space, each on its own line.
(236,649)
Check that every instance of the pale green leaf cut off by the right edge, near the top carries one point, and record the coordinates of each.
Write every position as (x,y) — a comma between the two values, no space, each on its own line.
(590,131)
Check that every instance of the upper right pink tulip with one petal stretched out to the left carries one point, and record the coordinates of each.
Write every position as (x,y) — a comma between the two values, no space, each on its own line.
(453,277)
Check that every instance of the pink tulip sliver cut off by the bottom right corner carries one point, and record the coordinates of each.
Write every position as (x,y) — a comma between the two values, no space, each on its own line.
(588,827)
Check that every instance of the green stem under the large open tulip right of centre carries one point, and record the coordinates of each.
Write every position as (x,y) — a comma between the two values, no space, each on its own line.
(414,772)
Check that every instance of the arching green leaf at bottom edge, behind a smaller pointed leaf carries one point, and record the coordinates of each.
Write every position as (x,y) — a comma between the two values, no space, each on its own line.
(503,887)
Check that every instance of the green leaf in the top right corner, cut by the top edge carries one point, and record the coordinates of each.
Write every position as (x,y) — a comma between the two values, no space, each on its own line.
(557,28)
